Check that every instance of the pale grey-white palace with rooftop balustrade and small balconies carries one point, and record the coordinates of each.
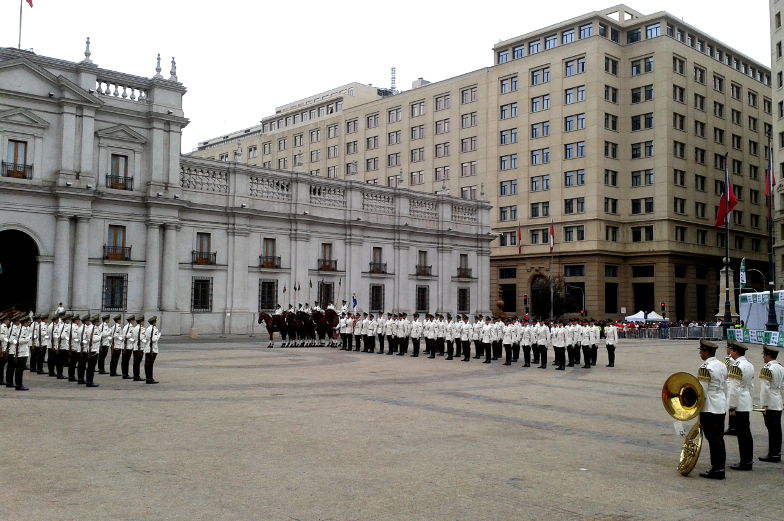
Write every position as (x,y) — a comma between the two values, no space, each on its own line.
(100,211)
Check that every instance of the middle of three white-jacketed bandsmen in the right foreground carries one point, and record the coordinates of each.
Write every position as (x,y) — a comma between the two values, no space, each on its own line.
(740,381)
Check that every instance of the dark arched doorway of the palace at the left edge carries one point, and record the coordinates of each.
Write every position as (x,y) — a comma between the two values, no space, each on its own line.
(19,271)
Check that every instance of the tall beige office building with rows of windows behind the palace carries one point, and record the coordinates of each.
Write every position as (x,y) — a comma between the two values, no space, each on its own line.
(612,127)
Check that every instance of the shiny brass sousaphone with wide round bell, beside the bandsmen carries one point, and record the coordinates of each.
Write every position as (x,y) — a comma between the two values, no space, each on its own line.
(683,398)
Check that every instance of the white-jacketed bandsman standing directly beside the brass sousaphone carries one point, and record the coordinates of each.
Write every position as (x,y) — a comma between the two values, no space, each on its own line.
(712,375)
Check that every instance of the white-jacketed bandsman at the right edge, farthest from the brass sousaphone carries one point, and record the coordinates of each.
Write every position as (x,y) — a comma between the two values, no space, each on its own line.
(771,386)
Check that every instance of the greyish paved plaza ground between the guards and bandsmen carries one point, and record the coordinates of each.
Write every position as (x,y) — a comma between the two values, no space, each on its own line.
(236,431)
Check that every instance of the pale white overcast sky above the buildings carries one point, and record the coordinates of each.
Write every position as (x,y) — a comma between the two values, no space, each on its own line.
(240,59)
